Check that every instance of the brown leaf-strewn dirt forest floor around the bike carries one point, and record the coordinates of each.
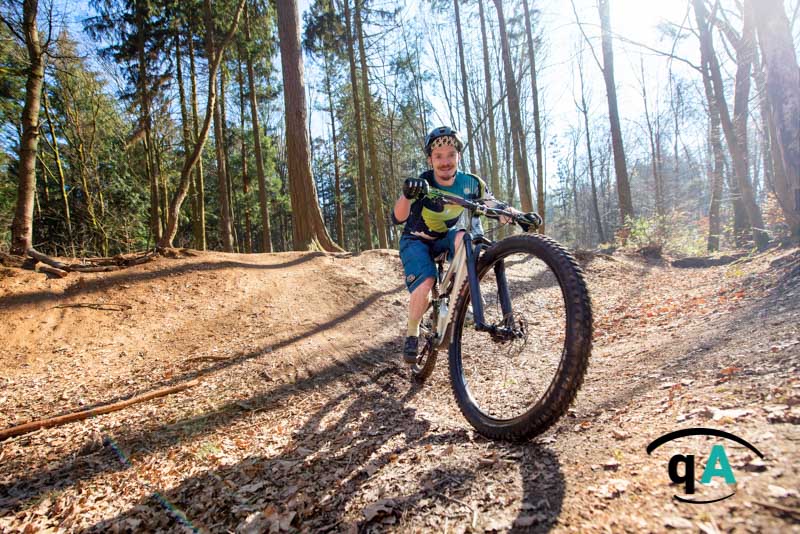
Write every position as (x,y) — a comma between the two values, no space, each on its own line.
(305,419)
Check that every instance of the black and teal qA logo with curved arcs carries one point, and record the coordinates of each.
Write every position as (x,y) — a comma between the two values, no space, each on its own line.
(717,464)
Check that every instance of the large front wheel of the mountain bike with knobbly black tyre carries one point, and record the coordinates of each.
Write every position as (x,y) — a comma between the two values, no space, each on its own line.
(516,385)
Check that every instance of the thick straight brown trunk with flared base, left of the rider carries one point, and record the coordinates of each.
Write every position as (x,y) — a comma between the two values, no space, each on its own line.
(308,228)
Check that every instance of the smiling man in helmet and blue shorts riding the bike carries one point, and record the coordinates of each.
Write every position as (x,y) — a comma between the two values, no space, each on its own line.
(432,228)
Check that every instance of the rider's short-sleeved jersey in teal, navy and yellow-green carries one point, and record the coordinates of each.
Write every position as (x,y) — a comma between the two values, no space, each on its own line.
(429,219)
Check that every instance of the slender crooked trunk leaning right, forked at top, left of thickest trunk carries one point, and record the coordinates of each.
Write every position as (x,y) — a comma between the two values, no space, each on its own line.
(191,159)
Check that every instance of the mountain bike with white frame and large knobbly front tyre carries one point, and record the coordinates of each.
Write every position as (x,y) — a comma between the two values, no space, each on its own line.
(517,318)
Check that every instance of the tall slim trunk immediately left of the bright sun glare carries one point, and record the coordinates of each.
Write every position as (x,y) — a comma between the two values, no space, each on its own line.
(620,166)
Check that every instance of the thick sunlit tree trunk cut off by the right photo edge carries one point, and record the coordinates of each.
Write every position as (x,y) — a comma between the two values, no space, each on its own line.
(783,95)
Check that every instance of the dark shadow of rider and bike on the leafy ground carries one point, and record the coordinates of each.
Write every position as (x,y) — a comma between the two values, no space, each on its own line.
(348,453)
